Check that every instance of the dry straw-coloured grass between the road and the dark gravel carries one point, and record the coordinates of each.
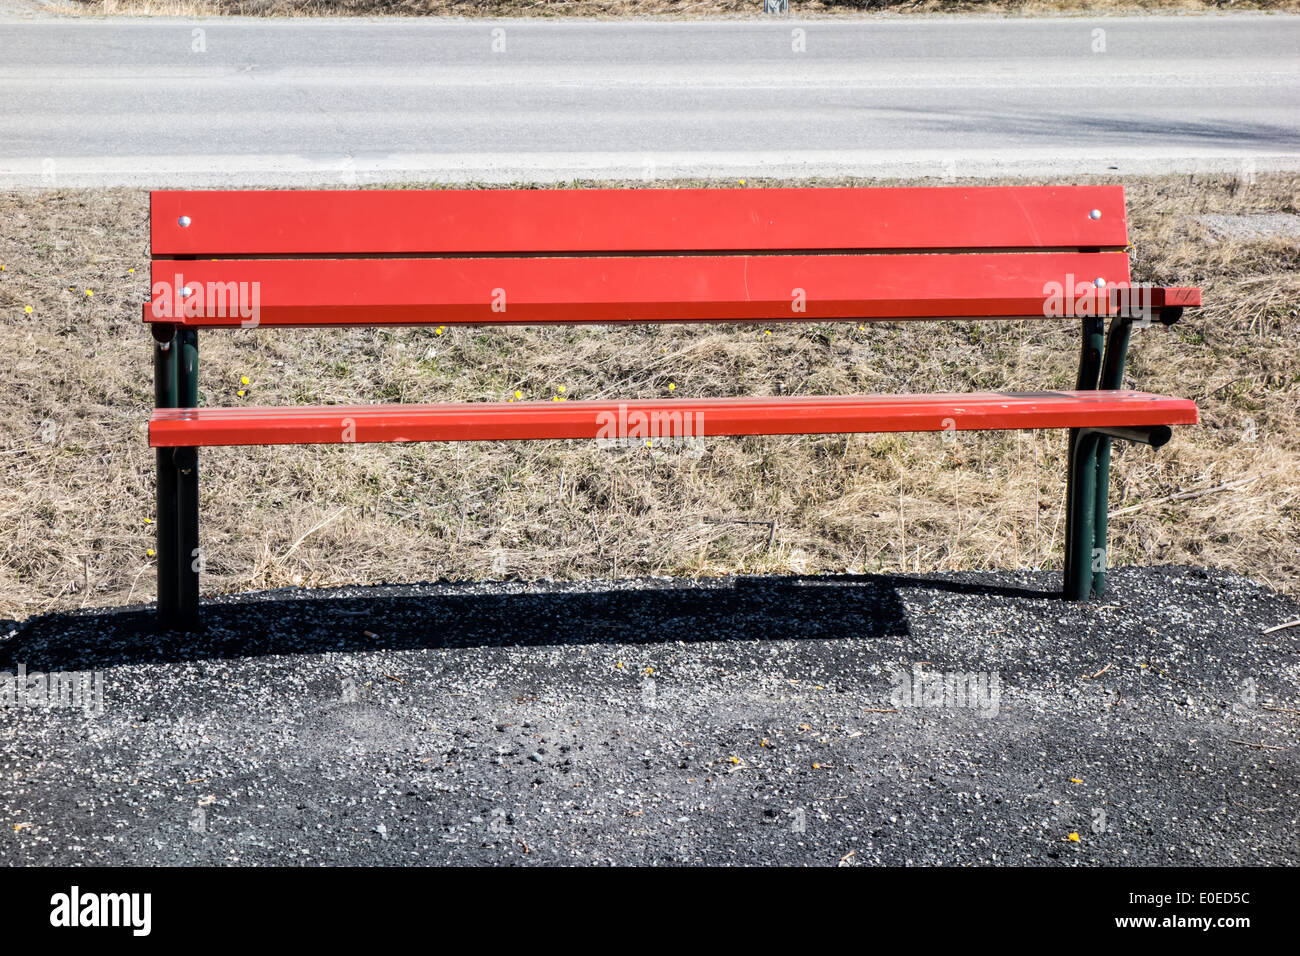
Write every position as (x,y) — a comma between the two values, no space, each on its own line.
(79,486)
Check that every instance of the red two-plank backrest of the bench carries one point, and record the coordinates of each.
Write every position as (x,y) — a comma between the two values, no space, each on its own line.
(531,257)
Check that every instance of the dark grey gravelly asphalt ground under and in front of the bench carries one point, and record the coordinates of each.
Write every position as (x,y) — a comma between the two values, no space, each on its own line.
(748,721)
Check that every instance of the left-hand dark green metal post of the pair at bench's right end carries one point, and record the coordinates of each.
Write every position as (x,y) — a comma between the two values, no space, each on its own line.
(1082,479)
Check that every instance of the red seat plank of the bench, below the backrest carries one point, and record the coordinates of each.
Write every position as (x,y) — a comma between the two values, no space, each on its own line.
(665,419)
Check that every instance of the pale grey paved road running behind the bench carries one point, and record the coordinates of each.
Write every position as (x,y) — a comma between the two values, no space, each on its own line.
(137,102)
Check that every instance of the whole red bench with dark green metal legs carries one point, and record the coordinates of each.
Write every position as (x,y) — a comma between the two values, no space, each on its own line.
(535,257)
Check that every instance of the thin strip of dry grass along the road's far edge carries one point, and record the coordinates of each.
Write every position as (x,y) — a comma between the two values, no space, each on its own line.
(647,8)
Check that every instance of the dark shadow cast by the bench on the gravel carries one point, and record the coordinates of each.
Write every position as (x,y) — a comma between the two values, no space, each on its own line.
(469,615)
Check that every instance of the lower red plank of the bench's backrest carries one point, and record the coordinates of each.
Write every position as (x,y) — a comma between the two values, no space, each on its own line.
(612,289)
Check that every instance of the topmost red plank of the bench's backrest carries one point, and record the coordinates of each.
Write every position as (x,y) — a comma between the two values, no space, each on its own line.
(531,222)
